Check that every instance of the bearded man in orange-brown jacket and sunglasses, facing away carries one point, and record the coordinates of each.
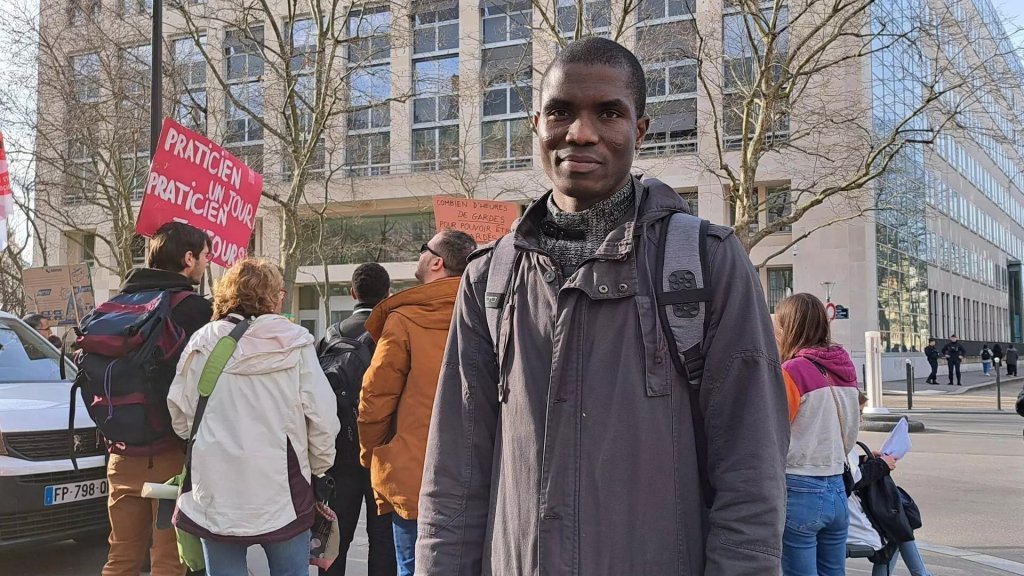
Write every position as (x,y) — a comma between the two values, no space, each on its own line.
(396,405)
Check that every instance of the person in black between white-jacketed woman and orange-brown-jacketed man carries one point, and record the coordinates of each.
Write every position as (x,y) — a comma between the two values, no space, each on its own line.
(345,354)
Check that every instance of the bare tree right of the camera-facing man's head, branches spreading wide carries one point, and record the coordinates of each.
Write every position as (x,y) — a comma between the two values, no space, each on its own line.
(783,85)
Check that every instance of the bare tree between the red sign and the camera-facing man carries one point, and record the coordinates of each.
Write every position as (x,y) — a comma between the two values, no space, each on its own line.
(295,76)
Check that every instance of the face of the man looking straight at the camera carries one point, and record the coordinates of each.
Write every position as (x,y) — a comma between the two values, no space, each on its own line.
(589,131)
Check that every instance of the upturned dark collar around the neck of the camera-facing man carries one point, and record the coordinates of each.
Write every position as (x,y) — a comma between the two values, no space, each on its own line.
(655,200)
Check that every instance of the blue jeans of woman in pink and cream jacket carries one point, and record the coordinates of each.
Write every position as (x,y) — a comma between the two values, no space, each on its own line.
(817,524)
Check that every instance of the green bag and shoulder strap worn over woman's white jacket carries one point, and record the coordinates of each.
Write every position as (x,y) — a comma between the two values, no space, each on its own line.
(190,547)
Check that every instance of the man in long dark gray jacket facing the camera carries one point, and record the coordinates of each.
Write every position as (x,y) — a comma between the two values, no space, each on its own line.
(586,463)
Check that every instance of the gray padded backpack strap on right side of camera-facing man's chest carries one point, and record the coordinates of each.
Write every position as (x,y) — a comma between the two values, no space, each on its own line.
(684,297)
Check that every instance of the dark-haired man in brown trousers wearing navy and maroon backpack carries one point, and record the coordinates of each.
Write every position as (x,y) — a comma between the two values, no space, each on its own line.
(178,260)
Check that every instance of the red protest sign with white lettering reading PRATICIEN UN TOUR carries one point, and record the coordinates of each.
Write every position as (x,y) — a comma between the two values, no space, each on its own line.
(194,181)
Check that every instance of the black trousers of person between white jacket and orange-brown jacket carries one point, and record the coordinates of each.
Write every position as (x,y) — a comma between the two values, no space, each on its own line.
(352,491)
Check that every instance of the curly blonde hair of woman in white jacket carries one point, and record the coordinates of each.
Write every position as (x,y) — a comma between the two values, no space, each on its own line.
(251,287)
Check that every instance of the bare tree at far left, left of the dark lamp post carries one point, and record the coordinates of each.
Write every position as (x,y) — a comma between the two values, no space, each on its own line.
(89,149)
